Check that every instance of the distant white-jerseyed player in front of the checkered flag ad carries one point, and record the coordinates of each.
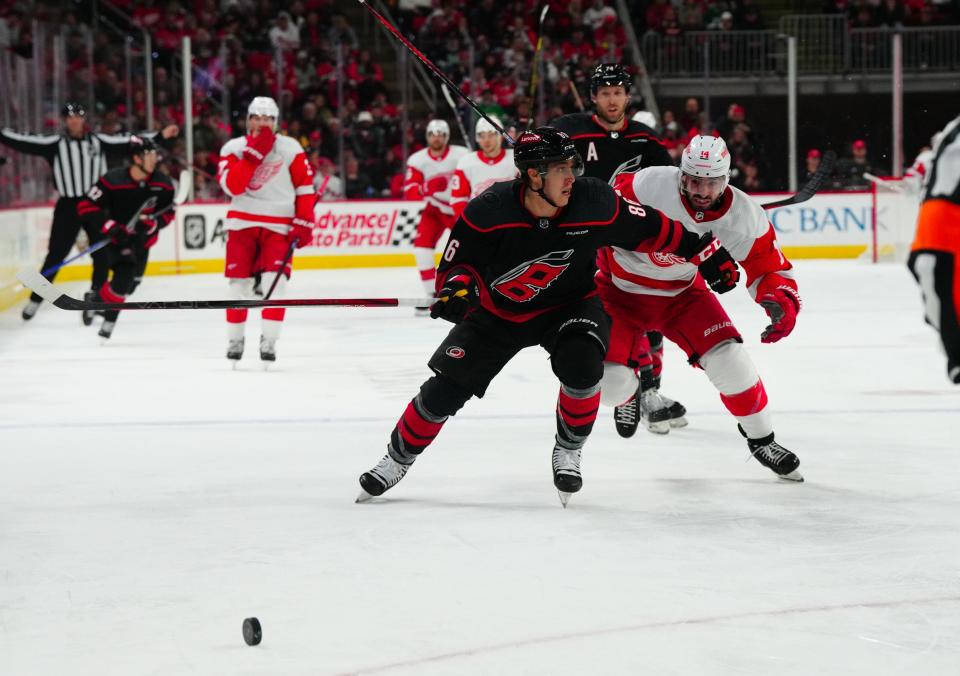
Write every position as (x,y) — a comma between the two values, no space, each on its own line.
(429,174)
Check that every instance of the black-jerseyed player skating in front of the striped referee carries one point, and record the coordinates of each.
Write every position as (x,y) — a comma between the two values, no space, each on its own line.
(129,205)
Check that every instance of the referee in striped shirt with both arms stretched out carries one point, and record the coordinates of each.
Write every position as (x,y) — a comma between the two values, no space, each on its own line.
(78,160)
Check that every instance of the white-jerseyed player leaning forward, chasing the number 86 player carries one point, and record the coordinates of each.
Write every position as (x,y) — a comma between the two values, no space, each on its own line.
(656,292)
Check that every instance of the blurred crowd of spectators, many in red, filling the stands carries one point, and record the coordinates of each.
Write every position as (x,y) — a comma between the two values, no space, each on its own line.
(248,48)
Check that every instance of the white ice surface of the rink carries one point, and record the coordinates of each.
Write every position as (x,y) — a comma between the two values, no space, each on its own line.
(151,499)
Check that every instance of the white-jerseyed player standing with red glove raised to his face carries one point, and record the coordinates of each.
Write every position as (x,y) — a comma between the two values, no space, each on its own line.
(270,182)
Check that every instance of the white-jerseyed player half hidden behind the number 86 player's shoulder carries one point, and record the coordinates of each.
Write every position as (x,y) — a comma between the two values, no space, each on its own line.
(478,171)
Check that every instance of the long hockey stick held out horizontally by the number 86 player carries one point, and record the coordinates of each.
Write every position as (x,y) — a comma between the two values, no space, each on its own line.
(36,282)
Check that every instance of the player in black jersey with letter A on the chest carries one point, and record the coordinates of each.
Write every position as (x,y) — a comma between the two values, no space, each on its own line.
(607,140)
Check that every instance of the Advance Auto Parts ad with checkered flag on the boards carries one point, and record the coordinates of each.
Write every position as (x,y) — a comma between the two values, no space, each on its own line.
(340,228)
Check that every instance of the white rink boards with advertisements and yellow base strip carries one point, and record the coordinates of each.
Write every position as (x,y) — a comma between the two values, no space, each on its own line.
(378,233)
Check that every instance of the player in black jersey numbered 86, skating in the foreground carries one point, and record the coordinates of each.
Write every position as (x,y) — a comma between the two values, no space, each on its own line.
(517,272)
